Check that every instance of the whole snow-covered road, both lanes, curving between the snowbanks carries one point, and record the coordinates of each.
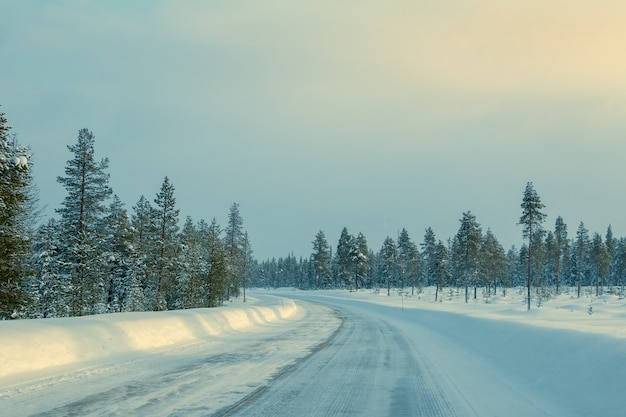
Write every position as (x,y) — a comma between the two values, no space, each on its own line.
(340,358)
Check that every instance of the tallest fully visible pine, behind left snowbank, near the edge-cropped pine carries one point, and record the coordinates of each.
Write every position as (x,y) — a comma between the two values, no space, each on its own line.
(87,186)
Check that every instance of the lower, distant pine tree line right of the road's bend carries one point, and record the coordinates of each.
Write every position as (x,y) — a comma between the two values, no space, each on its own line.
(549,261)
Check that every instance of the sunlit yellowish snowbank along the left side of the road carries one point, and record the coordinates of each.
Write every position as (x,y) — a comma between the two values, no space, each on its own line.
(32,345)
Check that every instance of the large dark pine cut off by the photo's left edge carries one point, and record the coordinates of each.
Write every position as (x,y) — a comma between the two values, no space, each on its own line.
(15,179)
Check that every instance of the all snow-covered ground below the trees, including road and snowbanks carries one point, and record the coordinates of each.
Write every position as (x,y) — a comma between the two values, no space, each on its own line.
(394,356)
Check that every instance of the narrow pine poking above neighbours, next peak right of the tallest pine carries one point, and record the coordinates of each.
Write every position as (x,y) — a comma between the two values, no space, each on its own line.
(167,267)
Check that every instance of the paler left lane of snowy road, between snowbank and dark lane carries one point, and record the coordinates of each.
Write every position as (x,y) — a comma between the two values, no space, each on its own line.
(190,379)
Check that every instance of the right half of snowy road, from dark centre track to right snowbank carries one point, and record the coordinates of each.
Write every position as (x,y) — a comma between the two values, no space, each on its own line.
(390,362)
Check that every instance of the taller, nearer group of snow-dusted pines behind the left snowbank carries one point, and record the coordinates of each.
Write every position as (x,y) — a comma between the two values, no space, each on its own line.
(96,257)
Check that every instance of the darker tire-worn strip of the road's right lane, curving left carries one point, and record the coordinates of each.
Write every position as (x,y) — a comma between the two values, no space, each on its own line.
(368,369)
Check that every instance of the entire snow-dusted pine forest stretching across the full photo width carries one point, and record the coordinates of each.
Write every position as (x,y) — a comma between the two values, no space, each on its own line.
(97,257)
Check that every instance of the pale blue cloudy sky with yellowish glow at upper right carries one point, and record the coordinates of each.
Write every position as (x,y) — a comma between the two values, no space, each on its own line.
(323,114)
